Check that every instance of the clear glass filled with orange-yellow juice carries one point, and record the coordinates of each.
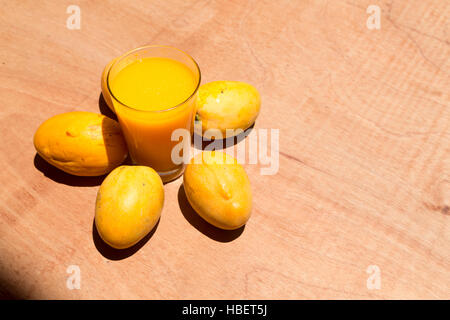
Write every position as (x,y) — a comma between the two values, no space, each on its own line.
(153,90)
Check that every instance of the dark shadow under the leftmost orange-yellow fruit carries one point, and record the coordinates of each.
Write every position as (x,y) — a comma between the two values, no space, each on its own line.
(60,176)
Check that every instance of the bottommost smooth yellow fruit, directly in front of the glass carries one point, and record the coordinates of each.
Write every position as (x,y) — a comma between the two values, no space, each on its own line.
(128,205)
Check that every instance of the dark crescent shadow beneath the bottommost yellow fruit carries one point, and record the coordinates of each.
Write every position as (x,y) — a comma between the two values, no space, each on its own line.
(118,254)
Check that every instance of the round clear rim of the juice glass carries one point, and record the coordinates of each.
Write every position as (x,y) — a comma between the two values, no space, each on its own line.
(119,58)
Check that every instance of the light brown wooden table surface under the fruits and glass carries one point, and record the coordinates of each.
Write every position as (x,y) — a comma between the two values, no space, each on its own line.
(364,151)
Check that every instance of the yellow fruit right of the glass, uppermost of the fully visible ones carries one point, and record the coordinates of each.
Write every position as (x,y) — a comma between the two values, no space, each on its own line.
(225,105)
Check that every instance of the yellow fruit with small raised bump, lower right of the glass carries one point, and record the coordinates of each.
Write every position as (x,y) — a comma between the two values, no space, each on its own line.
(218,189)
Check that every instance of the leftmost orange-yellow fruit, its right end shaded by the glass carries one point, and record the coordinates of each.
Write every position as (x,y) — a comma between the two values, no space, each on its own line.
(81,143)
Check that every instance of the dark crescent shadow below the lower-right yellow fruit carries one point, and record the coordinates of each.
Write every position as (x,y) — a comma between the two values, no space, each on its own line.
(201,225)
